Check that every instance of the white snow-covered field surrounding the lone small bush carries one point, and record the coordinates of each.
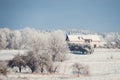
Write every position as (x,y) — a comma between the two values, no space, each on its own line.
(104,64)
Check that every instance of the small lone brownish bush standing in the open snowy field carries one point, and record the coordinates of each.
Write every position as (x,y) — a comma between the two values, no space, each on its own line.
(80,69)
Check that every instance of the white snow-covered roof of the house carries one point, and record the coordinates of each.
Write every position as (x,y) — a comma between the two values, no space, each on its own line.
(82,37)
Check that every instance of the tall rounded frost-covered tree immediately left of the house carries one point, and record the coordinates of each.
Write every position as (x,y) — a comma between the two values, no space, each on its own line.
(57,45)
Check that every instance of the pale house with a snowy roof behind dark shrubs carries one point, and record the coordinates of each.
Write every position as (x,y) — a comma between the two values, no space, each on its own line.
(93,40)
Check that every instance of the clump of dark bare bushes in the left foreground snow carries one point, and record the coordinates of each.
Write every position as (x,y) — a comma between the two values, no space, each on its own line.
(37,62)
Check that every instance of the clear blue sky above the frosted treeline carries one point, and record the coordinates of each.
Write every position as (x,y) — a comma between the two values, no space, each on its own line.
(95,15)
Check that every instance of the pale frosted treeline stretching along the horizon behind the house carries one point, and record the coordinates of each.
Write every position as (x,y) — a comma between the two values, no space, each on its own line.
(28,37)
